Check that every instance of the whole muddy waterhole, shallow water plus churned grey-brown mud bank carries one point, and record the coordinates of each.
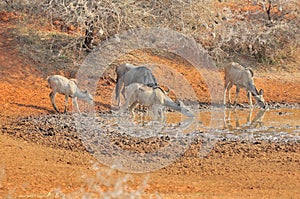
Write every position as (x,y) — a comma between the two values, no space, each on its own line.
(151,145)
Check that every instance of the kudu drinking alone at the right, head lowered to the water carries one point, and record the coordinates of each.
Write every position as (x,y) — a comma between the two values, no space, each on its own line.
(241,77)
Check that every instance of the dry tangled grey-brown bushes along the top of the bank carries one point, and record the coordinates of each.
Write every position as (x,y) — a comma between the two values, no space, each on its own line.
(267,30)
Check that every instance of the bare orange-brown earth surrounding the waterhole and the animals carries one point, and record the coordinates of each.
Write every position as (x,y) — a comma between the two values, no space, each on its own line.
(34,168)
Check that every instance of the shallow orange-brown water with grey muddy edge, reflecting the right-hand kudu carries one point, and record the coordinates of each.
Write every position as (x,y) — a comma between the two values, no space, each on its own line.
(255,124)
